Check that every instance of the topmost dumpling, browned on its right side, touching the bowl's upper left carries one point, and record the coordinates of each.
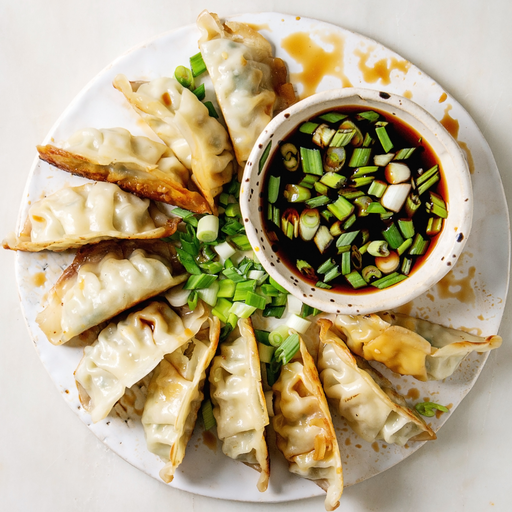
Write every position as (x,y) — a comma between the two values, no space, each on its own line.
(249,82)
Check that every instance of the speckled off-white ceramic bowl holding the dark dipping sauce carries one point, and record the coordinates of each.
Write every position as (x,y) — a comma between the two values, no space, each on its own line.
(457,183)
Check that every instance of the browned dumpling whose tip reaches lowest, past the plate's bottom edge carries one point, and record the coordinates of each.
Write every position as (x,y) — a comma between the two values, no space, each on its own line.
(304,430)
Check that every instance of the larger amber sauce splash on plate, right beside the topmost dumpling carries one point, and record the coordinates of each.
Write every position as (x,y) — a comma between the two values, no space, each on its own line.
(315,60)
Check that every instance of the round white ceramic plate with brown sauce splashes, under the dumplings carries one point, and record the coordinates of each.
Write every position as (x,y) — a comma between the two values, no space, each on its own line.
(472,296)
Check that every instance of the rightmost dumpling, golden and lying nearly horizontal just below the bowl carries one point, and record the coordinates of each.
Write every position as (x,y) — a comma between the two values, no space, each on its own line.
(410,346)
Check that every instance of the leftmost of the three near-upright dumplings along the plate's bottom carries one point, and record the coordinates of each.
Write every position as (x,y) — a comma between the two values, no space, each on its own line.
(174,397)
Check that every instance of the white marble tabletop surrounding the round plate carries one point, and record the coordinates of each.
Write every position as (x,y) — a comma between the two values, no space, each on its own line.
(49,461)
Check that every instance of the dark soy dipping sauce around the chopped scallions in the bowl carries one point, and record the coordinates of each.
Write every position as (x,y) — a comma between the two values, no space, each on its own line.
(402,136)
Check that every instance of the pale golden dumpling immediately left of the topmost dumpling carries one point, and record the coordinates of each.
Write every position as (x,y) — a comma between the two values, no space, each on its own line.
(171,109)
